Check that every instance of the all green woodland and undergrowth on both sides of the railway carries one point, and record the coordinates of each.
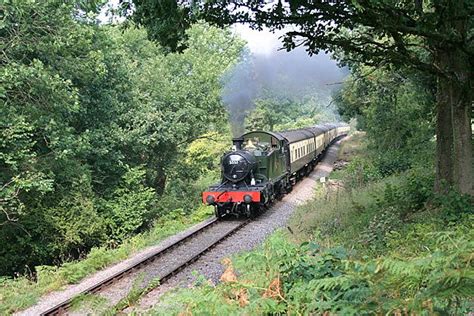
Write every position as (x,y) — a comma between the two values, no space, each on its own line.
(108,129)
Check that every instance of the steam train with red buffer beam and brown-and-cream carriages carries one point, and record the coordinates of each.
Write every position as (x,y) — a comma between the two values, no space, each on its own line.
(262,166)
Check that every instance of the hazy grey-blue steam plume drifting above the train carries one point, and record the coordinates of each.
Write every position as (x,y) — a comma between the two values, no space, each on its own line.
(292,75)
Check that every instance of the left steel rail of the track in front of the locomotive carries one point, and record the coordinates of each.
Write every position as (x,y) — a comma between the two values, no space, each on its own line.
(65,305)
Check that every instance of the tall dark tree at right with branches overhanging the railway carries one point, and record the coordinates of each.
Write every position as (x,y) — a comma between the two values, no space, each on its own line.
(432,36)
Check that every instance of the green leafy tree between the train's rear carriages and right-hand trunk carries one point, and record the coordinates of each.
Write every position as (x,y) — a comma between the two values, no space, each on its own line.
(396,112)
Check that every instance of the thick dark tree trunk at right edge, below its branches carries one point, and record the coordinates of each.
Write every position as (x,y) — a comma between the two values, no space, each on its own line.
(453,130)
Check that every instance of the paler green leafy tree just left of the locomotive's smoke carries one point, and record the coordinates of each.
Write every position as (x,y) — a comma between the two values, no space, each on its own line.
(179,96)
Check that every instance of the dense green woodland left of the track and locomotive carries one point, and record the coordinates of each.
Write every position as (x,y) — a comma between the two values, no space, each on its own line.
(96,123)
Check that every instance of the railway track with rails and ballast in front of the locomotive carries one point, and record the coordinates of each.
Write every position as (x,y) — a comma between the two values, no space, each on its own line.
(181,254)
